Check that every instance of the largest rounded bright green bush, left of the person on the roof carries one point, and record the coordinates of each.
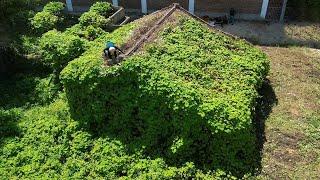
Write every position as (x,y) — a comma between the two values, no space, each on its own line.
(59,48)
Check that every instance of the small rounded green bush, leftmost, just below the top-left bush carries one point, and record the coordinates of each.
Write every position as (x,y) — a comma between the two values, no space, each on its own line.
(44,21)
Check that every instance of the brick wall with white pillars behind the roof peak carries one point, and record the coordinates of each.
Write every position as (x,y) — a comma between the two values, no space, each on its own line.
(245,9)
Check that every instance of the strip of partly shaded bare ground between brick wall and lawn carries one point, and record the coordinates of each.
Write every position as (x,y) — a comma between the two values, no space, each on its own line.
(277,34)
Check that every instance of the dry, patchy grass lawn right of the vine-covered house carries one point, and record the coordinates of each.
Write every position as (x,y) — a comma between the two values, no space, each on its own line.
(291,132)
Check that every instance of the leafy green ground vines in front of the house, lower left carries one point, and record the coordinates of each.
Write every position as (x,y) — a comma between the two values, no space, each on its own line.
(46,143)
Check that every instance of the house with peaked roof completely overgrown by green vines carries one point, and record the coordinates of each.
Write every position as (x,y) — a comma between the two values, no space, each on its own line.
(185,92)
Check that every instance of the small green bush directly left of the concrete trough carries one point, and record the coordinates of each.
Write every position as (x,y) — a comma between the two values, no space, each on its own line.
(94,19)
